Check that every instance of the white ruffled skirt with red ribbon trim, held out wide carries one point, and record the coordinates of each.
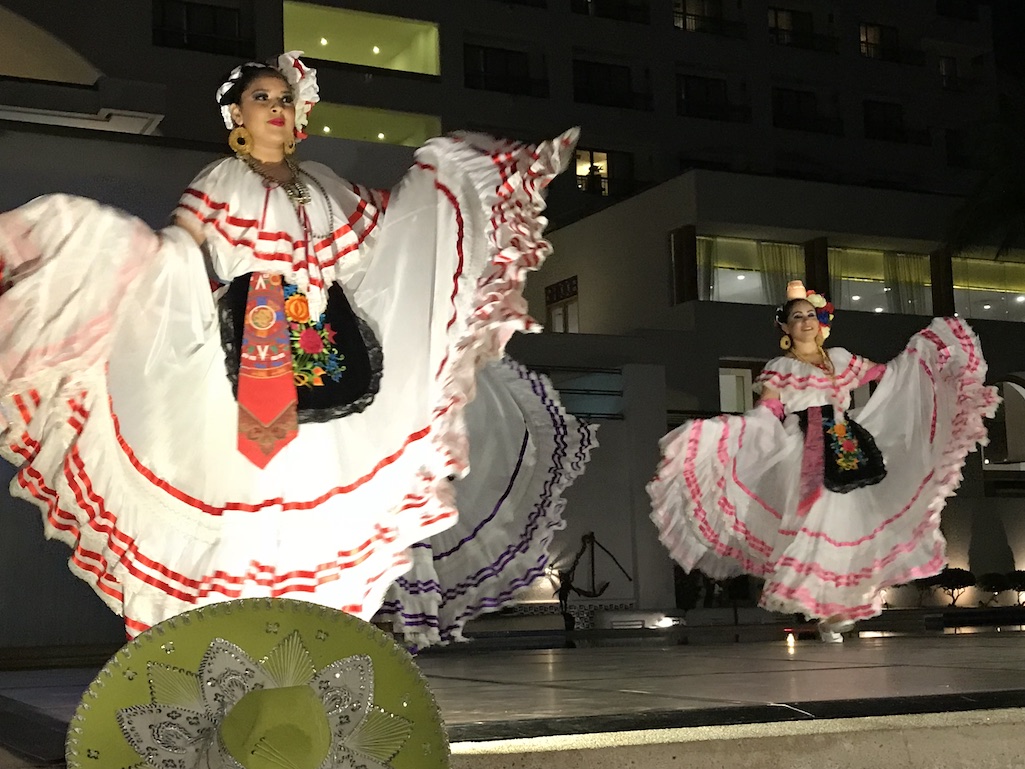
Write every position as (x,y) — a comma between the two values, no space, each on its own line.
(116,409)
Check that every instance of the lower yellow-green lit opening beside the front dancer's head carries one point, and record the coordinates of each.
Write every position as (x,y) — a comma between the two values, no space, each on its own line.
(366,125)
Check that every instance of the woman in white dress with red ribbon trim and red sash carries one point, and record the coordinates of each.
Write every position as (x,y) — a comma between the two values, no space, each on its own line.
(298,430)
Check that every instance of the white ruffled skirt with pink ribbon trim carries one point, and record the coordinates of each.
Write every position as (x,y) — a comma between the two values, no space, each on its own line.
(725,498)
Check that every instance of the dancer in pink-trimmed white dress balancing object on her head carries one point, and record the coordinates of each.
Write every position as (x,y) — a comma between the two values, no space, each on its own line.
(829,511)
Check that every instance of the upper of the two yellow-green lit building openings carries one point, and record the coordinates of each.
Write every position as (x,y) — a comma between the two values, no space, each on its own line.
(361,39)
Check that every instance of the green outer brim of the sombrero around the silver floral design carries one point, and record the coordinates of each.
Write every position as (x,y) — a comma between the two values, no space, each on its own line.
(257,626)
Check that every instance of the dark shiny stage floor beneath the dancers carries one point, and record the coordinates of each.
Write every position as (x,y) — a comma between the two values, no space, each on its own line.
(493,695)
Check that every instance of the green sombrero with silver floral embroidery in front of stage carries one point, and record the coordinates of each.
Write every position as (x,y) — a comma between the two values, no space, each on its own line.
(260,684)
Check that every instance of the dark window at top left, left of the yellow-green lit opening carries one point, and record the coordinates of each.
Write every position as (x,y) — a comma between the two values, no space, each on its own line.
(213,27)
